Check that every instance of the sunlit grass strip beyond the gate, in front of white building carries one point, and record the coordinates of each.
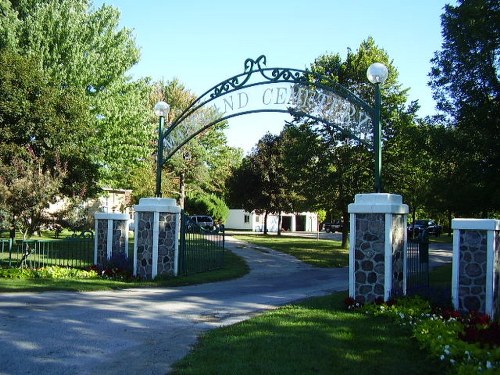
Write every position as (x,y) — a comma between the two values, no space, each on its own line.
(323,253)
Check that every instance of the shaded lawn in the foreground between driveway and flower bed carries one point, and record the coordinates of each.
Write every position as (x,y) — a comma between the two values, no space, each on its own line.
(316,336)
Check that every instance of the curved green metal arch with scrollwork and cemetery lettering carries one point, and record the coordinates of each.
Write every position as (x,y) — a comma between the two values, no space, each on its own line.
(280,90)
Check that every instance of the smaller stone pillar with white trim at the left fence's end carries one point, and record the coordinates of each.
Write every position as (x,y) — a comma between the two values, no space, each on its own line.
(111,237)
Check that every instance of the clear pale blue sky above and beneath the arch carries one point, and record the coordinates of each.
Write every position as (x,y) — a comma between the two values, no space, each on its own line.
(203,42)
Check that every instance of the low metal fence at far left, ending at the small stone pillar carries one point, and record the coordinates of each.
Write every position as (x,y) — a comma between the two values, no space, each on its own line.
(74,252)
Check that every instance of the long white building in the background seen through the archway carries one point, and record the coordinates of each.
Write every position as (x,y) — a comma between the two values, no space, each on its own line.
(243,220)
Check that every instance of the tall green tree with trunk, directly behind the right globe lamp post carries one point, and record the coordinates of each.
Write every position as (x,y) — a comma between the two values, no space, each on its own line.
(347,166)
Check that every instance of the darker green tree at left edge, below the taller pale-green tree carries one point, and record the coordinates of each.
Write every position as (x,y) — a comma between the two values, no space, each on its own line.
(52,123)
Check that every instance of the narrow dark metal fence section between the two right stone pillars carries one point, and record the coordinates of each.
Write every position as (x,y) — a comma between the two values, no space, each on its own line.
(417,264)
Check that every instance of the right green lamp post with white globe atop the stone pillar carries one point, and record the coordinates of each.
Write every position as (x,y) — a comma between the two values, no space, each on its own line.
(377,74)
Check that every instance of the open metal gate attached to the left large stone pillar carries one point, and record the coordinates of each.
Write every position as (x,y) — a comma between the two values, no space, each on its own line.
(201,248)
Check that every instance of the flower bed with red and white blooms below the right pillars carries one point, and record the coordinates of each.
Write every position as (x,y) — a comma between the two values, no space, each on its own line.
(469,343)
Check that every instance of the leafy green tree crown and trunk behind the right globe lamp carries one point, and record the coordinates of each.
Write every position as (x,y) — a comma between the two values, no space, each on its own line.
(339,167)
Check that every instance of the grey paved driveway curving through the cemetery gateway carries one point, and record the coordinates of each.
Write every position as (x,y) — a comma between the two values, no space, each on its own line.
(144,331)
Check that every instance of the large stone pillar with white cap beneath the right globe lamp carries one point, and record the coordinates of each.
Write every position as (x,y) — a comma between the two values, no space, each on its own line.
(377,255)
